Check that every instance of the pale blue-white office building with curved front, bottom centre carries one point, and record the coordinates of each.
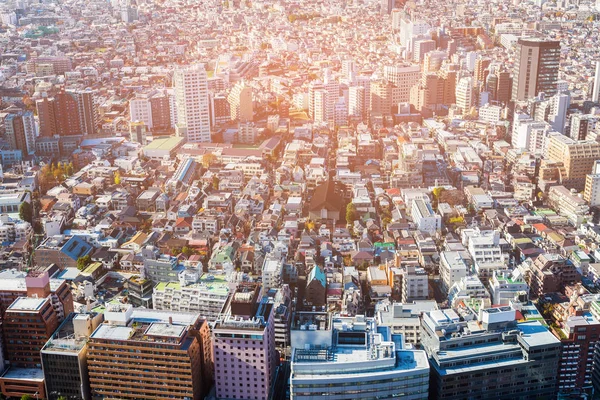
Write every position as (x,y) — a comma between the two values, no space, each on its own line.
(364,360)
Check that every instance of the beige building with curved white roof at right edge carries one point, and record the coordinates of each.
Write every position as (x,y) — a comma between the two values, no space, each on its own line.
(577,156)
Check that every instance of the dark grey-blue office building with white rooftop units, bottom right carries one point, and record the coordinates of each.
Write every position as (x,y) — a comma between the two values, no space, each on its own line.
(488,354)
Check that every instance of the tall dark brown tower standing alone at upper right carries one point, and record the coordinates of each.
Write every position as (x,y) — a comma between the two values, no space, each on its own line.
(536,68)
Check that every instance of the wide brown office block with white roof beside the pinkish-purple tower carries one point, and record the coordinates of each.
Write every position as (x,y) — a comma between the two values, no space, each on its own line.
(142,353)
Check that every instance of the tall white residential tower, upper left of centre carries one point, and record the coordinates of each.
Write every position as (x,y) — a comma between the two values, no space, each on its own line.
(191,98)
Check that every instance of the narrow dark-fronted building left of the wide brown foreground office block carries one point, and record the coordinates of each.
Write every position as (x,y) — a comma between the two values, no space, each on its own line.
(64,357)
